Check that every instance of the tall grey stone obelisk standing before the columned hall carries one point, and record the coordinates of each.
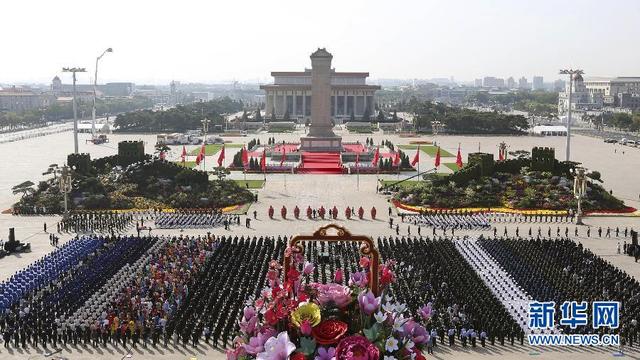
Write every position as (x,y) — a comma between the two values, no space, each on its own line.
(321,136)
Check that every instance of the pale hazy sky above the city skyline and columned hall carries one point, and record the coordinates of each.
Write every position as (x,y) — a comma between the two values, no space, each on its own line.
(217,40)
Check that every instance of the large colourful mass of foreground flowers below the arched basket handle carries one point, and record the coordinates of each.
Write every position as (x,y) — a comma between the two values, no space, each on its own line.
(298,319)
